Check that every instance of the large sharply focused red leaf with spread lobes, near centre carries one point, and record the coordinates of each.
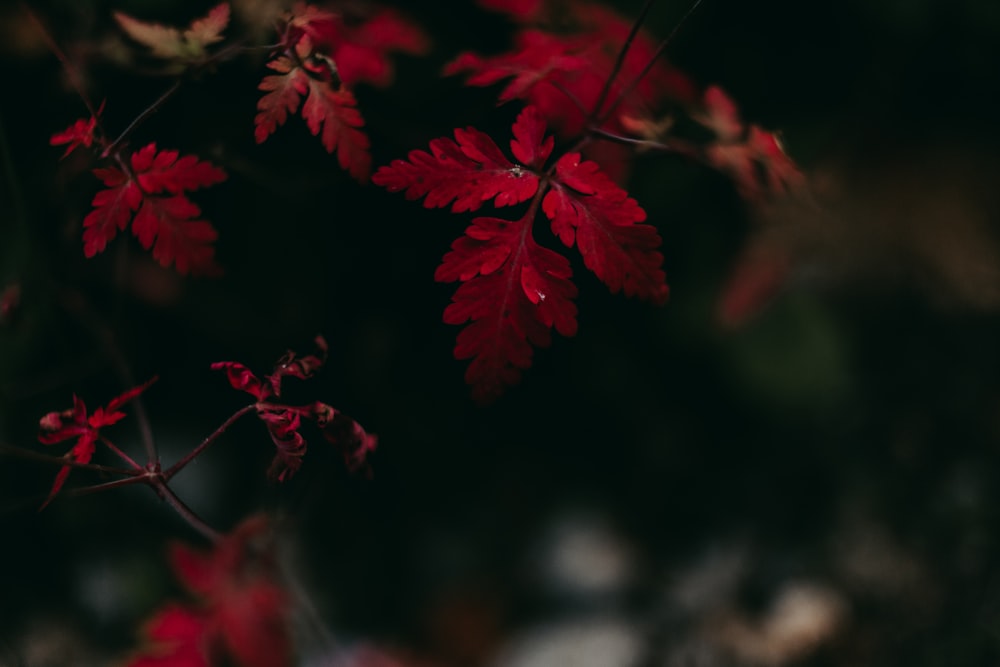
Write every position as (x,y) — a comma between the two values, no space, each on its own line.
(515,291)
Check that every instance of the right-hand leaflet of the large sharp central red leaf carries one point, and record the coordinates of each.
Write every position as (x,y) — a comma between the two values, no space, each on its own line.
(587,208)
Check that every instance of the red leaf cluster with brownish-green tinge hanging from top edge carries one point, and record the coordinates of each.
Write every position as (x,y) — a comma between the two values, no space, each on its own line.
(323,55)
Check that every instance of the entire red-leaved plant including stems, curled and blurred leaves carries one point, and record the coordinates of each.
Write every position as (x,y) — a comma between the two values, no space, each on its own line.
(586,77)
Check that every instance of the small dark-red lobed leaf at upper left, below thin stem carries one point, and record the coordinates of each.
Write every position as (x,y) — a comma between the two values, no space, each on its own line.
(149,193)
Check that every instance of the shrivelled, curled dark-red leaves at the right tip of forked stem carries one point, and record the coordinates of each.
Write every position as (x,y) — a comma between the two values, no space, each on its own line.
(284,421)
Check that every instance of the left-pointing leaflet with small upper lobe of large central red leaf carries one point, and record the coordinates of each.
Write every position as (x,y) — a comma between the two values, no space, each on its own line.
(472,169)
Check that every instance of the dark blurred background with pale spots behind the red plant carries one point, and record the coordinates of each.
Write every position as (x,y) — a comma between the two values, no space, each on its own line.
(816,485)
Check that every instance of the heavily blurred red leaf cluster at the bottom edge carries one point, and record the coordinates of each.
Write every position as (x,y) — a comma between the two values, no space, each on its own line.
(240,618)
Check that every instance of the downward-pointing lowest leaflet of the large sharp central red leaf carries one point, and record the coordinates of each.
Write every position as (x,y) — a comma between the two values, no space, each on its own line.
(512,300)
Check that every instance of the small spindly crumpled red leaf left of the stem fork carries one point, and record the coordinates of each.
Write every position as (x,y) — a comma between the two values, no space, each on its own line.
(56,427)
